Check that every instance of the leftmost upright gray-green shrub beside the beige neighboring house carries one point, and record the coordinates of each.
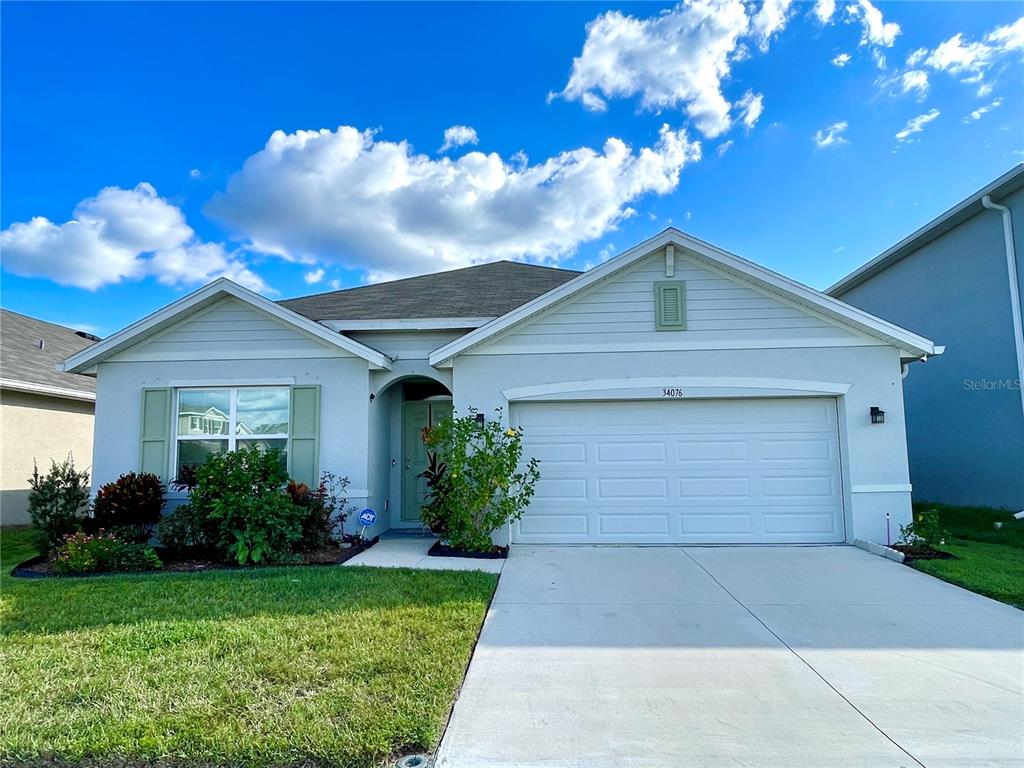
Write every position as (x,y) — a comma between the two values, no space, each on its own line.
(57,503)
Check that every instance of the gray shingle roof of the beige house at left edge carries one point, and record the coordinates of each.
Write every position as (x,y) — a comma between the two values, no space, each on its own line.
(31,349)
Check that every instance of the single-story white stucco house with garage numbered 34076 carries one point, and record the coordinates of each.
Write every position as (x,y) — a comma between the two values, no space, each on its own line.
(676,394)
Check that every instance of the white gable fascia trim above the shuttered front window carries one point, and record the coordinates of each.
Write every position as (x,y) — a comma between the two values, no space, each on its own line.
(201,298)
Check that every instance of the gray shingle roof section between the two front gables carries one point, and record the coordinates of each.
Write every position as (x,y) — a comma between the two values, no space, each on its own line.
(484,291)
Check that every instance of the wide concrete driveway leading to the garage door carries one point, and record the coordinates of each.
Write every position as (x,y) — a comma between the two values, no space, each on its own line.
(763,657)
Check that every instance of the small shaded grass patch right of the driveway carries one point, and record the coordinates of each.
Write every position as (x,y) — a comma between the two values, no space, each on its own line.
(990,562)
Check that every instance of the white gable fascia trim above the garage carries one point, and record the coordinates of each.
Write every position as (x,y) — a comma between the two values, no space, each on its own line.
(912,346)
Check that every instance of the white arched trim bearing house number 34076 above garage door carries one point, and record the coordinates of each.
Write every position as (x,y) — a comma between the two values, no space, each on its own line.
(828,389)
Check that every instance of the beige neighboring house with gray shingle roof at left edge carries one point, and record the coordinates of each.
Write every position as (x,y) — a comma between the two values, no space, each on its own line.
(45,415)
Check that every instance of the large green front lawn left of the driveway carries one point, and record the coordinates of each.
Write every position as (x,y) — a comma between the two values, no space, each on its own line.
(272,667)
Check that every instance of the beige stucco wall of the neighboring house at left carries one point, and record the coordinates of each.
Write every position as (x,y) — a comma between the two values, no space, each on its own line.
(38,430)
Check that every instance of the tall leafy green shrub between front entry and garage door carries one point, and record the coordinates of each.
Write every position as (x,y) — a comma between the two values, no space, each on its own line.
(486,487)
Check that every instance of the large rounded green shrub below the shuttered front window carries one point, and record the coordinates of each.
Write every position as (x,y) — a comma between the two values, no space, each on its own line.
(240,499)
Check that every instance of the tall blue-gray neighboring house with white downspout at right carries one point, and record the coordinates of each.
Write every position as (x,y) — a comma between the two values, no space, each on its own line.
(959,280)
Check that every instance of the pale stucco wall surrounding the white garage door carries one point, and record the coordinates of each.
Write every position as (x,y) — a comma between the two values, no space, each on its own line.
(875,463)
